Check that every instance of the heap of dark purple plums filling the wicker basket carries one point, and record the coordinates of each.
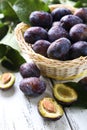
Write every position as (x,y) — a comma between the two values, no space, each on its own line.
(59,34)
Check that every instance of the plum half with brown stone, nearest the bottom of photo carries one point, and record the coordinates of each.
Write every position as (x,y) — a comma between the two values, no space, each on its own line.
(50,109)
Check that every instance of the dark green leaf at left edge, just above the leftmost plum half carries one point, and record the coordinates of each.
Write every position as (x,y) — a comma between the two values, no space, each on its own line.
(10,58)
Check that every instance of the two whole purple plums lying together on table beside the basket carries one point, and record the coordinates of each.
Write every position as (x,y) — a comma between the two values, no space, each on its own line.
(31,84)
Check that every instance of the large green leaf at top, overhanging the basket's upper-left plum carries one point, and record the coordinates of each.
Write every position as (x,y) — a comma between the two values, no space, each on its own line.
(23,8)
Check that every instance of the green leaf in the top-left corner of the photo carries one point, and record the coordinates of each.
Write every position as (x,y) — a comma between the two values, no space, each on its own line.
(8,11)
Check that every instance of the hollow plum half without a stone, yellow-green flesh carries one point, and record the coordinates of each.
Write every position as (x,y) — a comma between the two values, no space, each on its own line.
(64,94)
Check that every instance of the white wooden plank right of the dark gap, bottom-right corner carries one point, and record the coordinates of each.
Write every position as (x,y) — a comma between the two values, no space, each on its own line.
(77,118)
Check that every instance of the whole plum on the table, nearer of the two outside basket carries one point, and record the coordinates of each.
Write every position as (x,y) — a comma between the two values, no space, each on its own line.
(32,86)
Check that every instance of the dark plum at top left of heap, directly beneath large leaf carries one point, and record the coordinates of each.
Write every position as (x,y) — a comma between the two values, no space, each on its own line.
(41,18)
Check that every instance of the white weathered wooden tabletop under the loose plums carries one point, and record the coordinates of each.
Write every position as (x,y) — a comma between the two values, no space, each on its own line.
(18,112)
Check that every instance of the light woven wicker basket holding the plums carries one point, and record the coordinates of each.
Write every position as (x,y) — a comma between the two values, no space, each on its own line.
(63,71)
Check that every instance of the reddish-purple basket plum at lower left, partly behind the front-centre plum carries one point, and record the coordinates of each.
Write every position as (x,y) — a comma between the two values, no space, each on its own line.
(41,47)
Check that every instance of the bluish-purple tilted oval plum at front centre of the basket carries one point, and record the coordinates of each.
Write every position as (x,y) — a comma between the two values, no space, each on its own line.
(59,49)
